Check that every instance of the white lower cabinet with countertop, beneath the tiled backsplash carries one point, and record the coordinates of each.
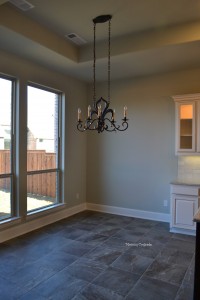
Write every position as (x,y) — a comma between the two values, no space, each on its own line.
(184,204)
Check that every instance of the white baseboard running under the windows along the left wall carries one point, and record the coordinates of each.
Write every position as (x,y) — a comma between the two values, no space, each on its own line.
(33,224)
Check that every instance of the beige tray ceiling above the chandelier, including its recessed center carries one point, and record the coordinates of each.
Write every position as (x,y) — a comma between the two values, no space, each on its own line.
(147,36)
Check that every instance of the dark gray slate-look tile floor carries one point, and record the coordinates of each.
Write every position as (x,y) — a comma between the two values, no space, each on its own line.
(98,256)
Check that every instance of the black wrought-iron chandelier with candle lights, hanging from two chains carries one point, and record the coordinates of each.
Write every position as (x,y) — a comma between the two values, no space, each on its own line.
(100,116)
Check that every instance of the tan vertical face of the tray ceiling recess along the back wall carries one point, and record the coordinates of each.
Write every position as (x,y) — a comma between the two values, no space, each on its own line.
(173,35)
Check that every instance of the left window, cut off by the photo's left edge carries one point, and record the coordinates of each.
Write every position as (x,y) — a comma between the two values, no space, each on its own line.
(6,148)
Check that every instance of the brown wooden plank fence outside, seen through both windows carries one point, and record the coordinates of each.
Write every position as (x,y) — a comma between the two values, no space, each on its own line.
(39,184)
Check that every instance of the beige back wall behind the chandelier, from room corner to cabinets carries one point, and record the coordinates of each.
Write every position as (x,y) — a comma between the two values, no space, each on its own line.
(133,169)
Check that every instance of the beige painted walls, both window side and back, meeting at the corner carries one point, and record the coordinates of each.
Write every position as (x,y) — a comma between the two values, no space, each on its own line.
(131,169)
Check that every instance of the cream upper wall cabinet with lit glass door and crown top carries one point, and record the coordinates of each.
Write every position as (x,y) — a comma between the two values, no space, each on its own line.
(187,124)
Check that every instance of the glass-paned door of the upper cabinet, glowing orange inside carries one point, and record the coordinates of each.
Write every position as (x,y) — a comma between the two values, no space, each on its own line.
(186,127)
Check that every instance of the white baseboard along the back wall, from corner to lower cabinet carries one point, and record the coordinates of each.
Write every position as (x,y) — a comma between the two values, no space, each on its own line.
(128,212)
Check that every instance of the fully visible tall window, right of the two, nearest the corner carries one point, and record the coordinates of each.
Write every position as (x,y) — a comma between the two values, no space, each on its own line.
(43,148)
